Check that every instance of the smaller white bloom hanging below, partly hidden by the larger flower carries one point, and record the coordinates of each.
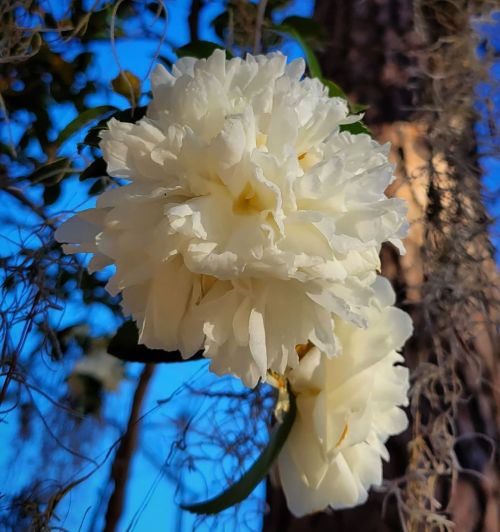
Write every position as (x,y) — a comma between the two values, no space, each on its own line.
(347,407)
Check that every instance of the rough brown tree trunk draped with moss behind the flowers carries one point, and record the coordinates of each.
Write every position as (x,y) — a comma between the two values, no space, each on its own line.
(414,63)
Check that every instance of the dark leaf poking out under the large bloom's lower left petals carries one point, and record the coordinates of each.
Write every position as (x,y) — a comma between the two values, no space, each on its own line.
(125,346)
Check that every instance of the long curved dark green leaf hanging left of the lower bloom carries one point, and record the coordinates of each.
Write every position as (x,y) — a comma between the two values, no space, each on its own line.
(257,472)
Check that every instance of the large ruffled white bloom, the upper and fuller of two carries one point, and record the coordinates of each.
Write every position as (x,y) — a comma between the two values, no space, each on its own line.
(240,180)
